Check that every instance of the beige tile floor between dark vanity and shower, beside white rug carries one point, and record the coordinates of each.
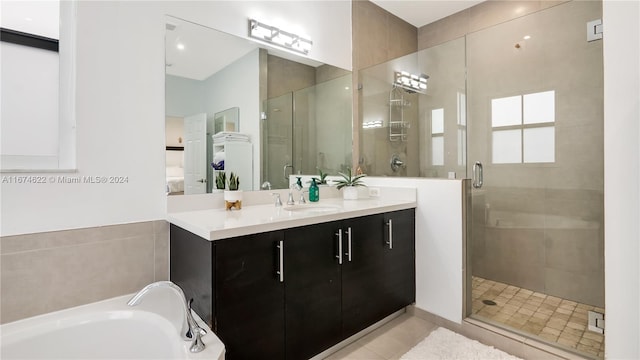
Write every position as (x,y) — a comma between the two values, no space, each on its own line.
(388,342)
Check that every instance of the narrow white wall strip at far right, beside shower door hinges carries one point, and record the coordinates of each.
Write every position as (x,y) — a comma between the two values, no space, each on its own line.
(622,178)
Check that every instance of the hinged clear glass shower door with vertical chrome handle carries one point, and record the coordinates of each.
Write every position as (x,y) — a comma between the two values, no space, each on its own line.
(535,111)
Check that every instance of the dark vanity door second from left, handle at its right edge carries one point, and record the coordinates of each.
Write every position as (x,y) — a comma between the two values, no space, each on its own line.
(312,290)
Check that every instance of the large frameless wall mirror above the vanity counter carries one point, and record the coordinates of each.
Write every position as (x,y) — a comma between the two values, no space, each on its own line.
(232,104)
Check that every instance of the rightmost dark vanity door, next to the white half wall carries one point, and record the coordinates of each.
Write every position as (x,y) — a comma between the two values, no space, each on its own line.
(399,276)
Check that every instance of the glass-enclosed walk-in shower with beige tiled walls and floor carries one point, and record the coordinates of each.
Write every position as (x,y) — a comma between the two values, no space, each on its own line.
(523,102)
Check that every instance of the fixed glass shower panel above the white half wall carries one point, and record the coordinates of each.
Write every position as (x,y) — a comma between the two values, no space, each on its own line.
(426,133)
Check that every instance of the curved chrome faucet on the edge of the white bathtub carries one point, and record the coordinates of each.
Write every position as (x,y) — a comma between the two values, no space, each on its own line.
(190,329)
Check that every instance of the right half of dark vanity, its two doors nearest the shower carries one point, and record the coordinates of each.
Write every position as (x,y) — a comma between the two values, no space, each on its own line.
(379,276)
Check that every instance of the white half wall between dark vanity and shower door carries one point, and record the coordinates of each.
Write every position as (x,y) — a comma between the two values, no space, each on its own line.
(439,238)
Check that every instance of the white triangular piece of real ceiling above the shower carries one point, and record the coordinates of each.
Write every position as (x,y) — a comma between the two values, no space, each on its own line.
(422,12)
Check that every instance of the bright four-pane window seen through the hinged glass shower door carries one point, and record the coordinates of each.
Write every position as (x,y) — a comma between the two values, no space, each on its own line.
(523,128)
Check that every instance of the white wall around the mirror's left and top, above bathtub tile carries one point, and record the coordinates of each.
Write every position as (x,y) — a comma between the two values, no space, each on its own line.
(120,105)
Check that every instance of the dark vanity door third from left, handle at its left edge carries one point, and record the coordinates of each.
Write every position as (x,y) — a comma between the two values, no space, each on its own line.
(362,270)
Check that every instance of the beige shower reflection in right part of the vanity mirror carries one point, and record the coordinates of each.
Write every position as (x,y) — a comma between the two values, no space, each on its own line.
(307,122)
